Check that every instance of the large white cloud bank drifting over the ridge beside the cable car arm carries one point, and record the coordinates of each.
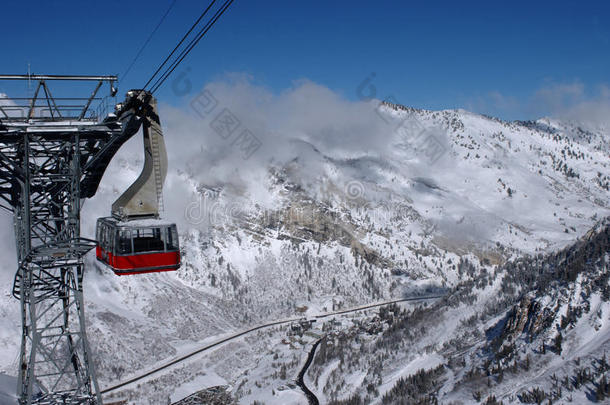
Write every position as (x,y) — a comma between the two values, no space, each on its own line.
(284,123)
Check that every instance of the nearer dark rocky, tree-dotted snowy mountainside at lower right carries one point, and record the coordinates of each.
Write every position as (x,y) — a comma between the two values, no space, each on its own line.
(534,330)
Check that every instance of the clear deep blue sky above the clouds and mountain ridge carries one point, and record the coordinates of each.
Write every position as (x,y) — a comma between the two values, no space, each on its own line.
(516,60)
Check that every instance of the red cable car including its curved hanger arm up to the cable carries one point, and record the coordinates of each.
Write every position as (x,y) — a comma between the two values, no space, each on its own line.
(134,240)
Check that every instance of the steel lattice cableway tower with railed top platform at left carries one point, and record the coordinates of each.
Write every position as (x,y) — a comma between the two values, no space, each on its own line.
(53,153)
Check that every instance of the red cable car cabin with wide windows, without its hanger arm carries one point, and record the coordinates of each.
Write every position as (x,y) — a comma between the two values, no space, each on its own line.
(135,247)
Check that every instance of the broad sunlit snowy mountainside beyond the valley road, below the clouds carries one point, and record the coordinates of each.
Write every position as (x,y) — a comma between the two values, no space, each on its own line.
(309,222)
